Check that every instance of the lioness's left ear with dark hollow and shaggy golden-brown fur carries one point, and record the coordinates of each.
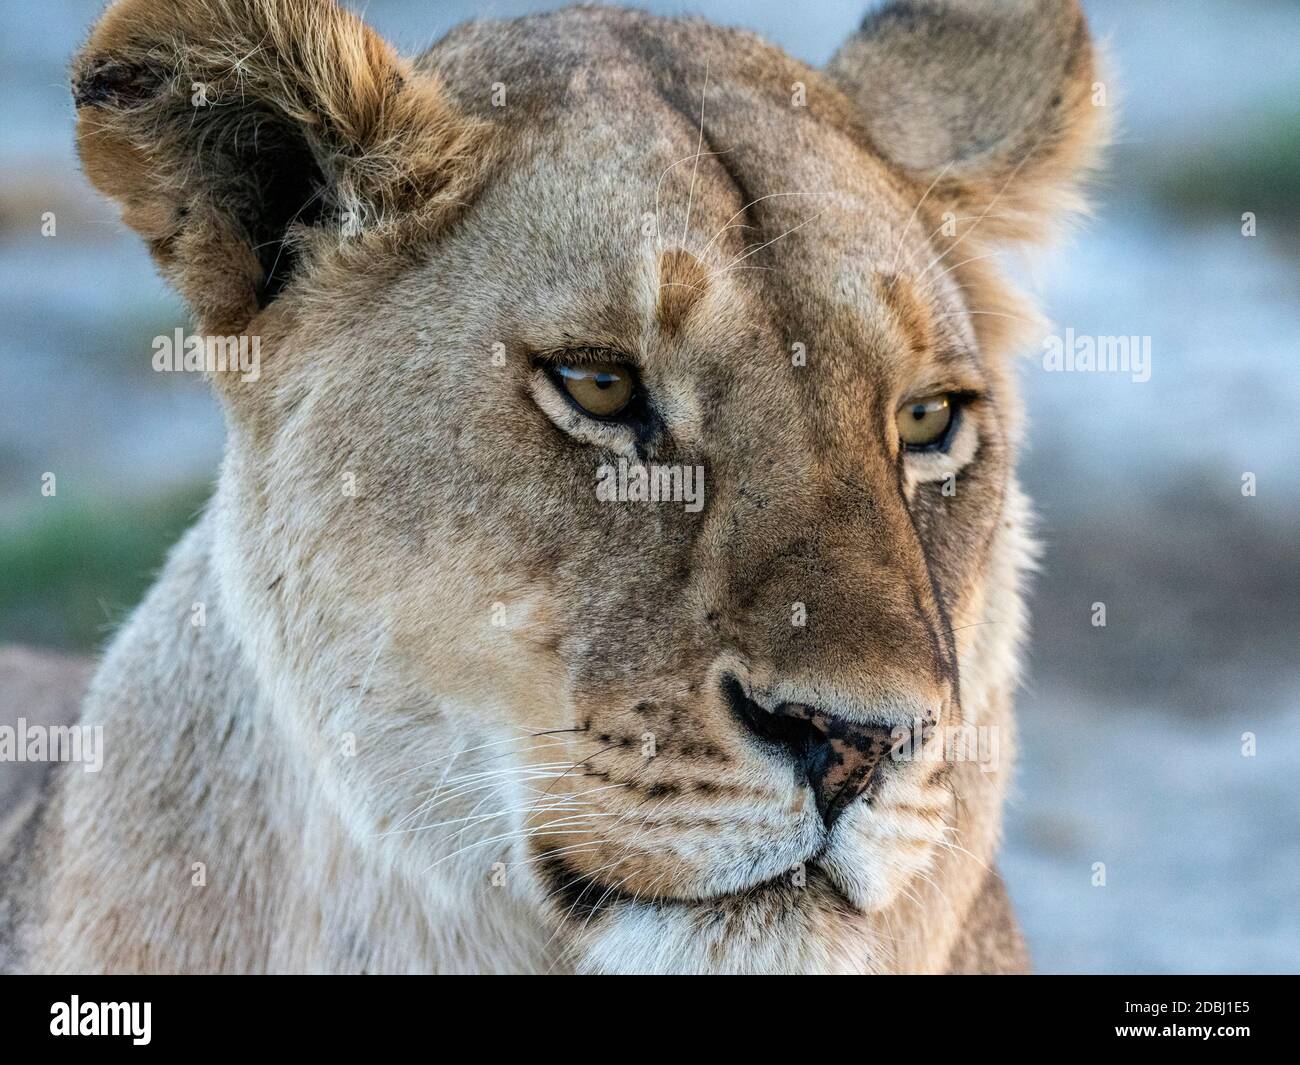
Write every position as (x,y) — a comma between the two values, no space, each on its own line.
(236,132)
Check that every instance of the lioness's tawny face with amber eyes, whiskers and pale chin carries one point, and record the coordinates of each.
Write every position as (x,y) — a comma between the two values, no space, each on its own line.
(642,509)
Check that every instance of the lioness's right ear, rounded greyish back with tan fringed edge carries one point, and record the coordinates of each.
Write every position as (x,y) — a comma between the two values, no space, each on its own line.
(994,102)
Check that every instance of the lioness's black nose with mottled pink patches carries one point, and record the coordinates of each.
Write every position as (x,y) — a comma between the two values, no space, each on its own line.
(838,757)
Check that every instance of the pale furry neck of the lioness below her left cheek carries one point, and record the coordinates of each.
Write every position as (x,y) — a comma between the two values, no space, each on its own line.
(207,843)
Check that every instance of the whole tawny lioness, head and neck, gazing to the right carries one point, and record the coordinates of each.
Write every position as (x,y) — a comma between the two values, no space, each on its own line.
(427,687)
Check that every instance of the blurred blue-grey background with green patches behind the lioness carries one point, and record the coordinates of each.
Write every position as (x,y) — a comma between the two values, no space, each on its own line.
(1132,733)
